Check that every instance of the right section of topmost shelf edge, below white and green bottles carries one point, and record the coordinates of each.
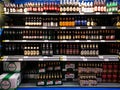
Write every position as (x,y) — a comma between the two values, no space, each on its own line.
(90,13)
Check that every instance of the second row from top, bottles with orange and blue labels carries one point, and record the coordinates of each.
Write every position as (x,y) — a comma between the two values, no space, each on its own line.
(66,21)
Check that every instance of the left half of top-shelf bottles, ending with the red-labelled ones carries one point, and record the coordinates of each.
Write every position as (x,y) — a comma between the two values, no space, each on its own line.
(52,6)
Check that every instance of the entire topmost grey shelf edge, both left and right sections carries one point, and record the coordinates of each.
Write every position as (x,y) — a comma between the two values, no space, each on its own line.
(45,13)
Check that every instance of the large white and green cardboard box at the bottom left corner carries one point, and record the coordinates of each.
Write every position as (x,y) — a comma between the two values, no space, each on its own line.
(10,81)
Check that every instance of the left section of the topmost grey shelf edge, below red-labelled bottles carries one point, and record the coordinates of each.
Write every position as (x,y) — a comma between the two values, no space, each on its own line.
(31,13)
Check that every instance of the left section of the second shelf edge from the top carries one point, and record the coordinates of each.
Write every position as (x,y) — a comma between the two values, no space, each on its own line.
(29,27)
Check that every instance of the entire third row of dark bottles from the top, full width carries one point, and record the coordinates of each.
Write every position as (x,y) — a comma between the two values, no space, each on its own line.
(59,35)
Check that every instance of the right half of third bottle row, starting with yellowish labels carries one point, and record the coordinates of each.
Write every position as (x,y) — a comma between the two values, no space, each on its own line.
(86,34)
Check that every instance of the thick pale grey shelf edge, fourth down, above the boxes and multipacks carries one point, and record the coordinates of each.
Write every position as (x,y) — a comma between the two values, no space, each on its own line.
(60,58)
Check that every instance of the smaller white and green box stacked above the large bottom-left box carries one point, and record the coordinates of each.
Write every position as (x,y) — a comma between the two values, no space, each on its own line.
(13,66)
